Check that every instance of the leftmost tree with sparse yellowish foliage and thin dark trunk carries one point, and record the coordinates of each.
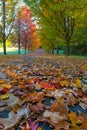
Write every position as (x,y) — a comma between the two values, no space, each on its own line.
(8,10)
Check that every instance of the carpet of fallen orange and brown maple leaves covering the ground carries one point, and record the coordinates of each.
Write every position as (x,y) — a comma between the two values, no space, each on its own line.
(43,93)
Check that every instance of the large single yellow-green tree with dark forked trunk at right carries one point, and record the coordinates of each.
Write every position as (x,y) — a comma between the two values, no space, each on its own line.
(63,16)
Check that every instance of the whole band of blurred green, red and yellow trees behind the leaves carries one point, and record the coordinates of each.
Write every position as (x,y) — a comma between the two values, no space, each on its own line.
(52,24)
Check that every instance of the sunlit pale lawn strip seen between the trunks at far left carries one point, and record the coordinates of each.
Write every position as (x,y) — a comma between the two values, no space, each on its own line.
(12,50)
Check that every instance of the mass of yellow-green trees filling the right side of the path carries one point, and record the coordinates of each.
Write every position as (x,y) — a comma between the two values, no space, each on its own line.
(62,23)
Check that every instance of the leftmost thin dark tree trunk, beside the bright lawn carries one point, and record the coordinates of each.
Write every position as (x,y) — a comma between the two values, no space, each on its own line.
(4,37)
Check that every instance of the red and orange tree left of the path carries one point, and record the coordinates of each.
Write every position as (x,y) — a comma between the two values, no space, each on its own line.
(28,30)
